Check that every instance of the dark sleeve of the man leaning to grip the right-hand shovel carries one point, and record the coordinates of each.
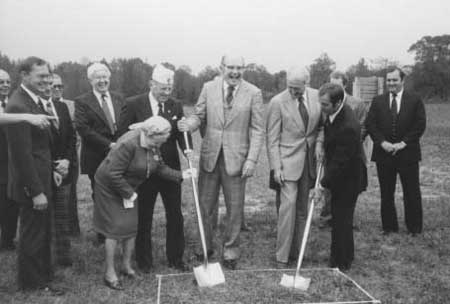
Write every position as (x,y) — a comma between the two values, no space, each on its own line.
(346,145)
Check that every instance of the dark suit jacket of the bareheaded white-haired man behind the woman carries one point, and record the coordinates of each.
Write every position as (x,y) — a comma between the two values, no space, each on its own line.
(92,125)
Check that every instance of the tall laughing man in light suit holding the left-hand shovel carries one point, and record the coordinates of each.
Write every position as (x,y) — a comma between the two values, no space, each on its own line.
(232,111)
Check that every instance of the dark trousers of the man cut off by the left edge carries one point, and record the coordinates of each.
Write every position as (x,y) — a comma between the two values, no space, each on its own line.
(9,213)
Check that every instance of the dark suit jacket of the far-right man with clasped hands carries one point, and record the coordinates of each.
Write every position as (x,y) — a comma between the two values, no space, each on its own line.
(411,123)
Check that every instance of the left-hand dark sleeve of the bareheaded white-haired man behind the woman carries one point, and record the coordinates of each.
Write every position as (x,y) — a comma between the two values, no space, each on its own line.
(84,129)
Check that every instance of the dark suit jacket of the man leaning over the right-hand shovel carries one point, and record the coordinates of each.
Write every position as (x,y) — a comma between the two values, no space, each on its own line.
(343,159)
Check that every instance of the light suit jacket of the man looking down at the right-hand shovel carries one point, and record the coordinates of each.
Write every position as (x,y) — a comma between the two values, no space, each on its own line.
(287,136)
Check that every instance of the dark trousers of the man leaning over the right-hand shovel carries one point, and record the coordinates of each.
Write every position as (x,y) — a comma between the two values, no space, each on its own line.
(343,202)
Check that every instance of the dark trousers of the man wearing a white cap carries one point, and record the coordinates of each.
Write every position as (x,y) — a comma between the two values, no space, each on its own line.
(171,197)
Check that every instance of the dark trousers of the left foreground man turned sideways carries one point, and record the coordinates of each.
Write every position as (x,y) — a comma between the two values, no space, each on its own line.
(34,252)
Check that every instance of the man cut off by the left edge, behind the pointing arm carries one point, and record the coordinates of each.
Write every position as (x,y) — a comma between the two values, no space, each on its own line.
(9,210)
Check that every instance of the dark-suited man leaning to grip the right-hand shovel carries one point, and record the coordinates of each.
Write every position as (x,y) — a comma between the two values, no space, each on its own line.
(342,175)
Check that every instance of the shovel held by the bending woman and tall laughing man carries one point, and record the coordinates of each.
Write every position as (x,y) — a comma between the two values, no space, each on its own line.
(207,274)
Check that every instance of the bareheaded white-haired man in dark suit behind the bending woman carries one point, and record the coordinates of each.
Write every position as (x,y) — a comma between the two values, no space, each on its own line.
(96,117)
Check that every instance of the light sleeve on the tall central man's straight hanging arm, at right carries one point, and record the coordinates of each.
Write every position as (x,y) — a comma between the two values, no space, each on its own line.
(257,130)
